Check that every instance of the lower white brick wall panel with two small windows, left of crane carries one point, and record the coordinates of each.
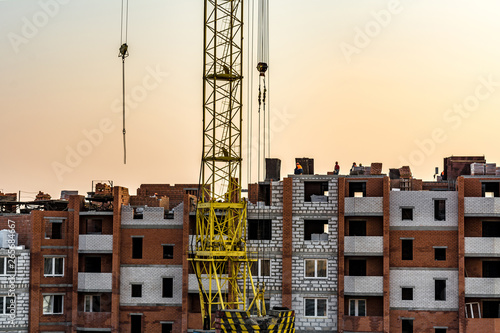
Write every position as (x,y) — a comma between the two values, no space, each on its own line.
(150,276)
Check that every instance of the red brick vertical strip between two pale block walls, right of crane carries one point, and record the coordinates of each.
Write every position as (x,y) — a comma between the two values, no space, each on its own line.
(287,243)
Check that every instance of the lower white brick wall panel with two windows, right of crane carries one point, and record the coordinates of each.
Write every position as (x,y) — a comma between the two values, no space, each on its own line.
(424,288)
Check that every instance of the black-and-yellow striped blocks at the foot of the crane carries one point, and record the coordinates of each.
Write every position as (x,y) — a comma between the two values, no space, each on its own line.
(277,321)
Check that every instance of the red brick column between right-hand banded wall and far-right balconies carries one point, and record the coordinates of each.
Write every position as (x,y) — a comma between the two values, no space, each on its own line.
(462,321)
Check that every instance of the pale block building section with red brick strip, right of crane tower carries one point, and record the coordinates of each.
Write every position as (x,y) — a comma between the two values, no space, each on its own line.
(293,226)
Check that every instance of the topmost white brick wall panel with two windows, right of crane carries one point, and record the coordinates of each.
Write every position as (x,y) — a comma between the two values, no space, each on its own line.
(423,211)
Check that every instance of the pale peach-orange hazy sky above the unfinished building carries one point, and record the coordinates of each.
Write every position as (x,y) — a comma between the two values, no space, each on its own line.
(397,82)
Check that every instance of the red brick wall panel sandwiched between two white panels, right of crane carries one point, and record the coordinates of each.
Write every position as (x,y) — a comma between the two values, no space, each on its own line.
(423,251)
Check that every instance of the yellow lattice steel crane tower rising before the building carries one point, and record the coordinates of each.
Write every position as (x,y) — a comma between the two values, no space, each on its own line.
(219,251)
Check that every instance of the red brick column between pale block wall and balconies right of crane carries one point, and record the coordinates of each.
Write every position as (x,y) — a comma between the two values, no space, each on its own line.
(341,226)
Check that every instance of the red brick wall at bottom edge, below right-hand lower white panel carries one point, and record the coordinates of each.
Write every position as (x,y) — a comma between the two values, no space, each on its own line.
(426,320)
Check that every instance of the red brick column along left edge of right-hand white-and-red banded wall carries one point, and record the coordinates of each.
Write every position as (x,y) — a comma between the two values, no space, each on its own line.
(386,226)
